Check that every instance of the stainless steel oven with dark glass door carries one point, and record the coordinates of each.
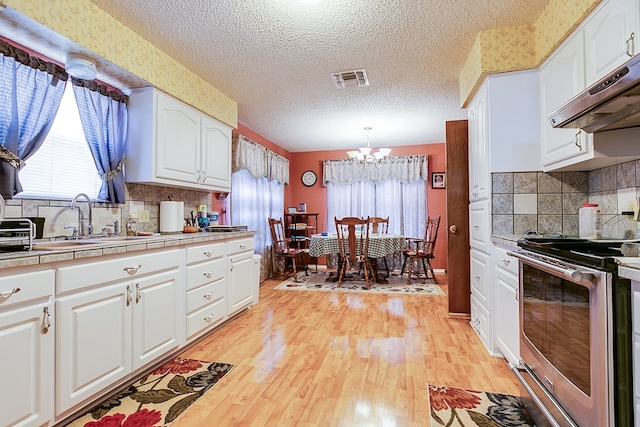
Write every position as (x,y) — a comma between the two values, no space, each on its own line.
(574,337)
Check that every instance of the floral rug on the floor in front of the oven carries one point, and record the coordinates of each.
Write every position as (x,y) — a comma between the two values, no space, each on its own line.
(451,406)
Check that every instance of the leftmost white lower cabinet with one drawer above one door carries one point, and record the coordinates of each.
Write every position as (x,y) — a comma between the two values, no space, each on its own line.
(26,348)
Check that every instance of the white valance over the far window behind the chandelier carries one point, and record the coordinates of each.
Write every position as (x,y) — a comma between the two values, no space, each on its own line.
(402,168)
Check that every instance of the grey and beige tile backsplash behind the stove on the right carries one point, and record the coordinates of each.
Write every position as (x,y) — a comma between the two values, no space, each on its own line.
(549,202)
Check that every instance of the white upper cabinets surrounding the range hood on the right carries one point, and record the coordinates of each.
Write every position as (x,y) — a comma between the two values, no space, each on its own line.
(602,42)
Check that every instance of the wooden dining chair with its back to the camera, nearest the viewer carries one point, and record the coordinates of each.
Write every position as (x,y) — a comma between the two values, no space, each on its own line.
(353,246)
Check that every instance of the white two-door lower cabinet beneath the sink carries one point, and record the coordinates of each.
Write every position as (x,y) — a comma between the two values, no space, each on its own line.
(108,331)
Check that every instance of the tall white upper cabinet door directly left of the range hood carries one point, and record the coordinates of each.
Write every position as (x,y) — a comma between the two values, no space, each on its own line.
(561,78)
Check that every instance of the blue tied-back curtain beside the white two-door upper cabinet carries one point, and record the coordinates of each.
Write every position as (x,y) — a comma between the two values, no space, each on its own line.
(103,114)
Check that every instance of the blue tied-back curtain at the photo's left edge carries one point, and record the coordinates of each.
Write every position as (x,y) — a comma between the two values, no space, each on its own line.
(30,94)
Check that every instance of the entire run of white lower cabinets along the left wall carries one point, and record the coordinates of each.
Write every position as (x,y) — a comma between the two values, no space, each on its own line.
(73,331)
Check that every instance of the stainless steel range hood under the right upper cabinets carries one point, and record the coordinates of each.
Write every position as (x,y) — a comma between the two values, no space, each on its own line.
(611,103)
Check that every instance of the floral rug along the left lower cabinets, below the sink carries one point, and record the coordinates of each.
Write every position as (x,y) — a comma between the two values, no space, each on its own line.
(158,398)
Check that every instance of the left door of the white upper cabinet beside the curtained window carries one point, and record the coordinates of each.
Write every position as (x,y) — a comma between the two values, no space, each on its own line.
(178,140)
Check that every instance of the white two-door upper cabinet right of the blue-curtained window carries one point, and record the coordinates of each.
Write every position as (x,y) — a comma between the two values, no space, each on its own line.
(172,144)
